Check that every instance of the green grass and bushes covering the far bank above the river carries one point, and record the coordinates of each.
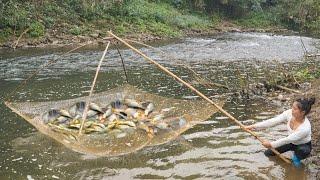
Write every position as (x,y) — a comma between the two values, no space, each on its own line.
(169,18)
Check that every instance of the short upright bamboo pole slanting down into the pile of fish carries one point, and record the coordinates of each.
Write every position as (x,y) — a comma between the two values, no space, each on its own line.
(84,116)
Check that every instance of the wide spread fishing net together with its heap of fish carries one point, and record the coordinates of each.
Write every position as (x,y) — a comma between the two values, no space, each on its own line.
(161,120)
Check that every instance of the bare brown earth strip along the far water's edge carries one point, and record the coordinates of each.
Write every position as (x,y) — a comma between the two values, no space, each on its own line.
(54,38)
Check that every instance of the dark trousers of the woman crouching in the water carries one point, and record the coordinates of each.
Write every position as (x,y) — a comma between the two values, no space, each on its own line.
(302,151)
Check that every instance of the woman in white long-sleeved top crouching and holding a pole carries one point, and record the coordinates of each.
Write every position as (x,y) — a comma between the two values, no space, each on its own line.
(299,139)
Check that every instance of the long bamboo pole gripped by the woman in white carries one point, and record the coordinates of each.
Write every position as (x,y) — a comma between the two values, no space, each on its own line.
(199,93)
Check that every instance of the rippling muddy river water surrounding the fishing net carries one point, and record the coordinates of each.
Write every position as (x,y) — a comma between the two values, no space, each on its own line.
(214,149)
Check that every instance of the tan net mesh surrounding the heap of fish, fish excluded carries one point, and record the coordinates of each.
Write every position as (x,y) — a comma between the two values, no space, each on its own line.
(106,144)
